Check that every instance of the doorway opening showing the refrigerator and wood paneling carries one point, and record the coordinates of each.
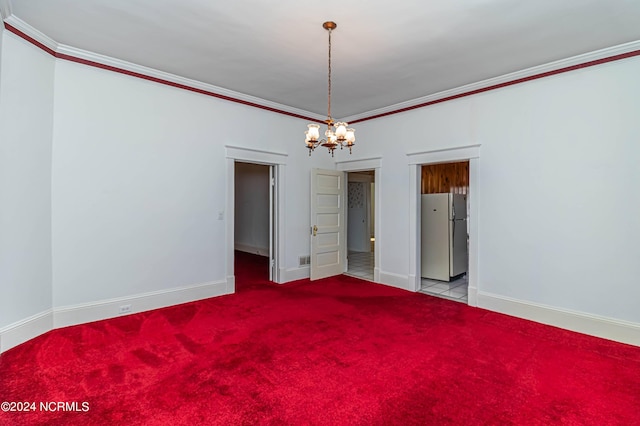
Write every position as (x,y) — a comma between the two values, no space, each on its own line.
(444,230)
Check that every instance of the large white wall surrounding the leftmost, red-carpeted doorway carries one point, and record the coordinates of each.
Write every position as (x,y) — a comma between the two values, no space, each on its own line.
(139,180)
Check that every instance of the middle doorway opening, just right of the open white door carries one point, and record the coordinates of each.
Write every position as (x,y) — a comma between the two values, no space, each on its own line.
(361,238)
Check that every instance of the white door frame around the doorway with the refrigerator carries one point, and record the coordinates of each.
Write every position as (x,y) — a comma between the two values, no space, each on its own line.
(469,153)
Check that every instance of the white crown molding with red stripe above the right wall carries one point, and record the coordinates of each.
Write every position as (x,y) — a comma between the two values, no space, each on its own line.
(569,64)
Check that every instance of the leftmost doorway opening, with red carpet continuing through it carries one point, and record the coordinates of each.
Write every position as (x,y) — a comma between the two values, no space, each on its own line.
(254,222)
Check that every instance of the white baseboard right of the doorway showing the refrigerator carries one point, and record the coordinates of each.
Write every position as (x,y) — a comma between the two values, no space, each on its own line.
(594,325)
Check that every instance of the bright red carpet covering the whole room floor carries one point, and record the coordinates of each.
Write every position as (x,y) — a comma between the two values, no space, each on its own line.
(335,352)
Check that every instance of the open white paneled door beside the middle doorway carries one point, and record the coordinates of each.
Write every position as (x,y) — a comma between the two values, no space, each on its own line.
(327,223)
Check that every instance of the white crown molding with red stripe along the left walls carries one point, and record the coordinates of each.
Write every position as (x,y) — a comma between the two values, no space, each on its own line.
(62,51)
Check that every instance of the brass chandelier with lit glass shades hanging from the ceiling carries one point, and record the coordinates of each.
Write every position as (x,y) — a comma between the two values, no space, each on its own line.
(338,134)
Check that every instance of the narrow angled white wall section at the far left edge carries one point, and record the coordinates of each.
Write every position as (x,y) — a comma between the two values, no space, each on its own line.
(26,111)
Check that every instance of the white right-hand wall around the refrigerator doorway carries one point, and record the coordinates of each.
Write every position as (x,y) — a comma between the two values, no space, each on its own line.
(558,186)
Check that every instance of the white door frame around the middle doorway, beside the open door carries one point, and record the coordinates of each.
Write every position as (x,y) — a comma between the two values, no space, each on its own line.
(374,164)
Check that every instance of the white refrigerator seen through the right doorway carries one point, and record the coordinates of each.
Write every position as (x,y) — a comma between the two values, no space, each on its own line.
(444,236)
